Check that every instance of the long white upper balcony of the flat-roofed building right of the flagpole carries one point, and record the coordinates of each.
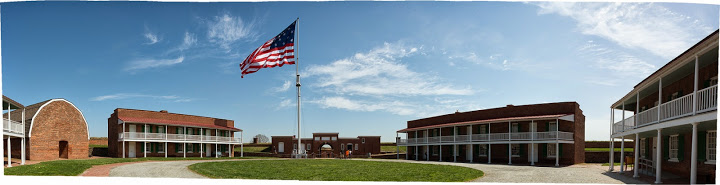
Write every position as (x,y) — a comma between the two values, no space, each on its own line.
(518,136)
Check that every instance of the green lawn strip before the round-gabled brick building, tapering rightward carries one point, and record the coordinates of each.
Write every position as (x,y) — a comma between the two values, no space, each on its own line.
(76,167)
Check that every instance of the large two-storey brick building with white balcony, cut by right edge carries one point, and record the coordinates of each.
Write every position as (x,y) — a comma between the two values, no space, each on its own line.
(672,114)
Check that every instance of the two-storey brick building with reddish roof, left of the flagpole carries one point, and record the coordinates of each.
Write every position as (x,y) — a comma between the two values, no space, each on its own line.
(144,133)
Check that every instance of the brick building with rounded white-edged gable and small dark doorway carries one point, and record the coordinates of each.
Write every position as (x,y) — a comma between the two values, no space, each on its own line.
(54,129)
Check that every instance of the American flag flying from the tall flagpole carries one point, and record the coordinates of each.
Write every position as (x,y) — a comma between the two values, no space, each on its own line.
(276,52)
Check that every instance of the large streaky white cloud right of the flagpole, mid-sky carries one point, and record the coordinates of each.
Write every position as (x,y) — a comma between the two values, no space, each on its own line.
(379,72)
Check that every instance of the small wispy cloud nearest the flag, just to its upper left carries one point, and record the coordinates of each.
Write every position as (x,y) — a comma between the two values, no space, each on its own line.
(226,29)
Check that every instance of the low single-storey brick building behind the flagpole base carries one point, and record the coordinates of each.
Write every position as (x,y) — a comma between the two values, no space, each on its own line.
(327,145)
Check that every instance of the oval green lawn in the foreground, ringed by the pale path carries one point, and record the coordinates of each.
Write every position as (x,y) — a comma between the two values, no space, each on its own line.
(335,170)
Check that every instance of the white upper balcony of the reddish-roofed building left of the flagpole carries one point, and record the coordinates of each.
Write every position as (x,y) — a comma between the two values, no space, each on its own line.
(157,137)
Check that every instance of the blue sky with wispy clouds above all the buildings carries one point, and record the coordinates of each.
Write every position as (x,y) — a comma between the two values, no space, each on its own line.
(367,67)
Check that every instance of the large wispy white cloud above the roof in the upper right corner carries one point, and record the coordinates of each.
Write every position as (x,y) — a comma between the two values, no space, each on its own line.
(645,26)
